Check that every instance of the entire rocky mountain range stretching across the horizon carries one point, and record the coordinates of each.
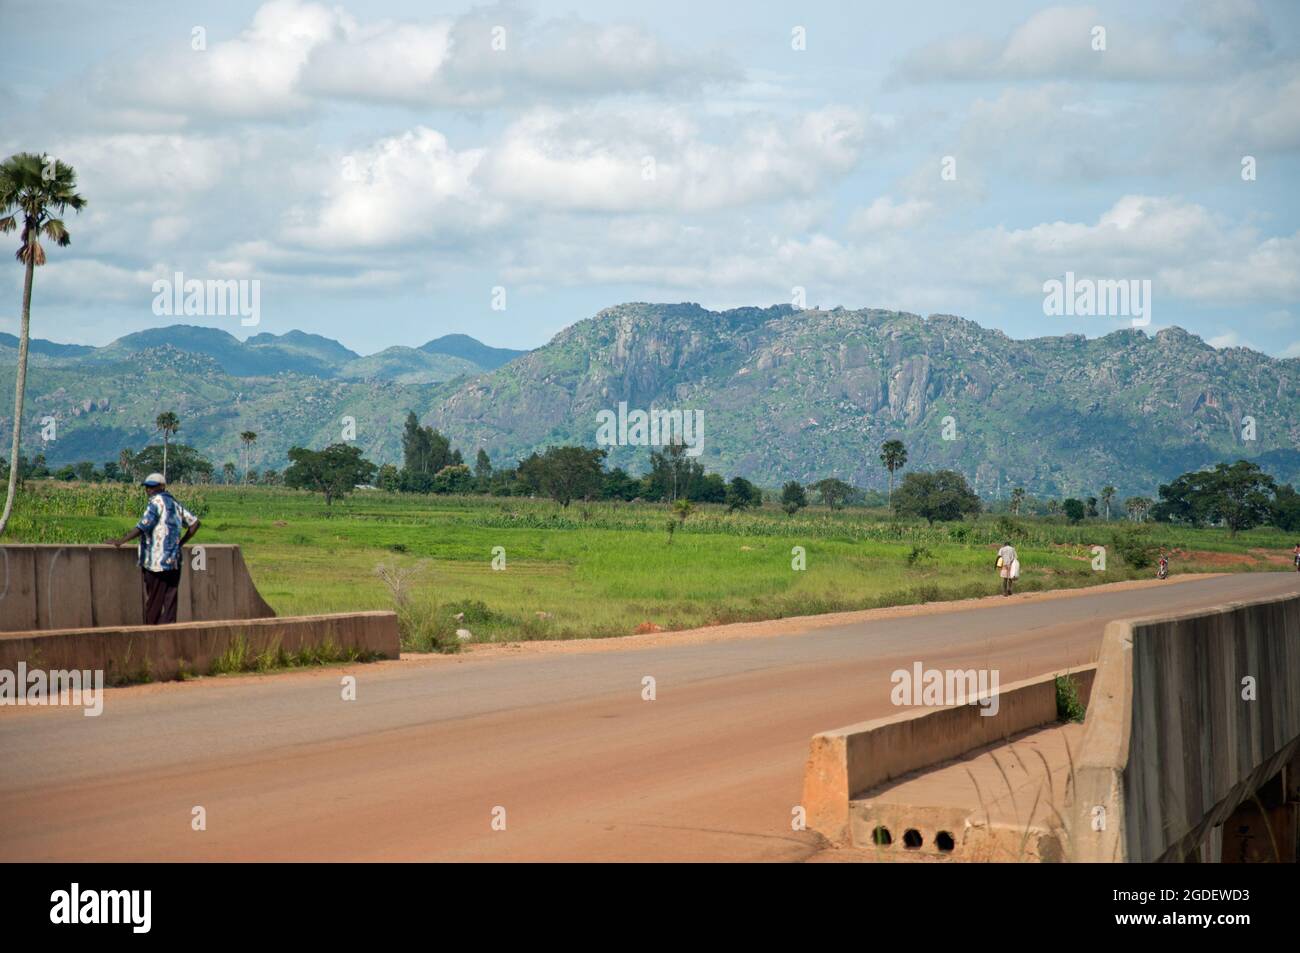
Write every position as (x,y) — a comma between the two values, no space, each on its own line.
(785,395)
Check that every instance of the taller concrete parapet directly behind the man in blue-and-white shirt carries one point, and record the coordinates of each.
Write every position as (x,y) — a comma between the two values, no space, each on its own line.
(84,587)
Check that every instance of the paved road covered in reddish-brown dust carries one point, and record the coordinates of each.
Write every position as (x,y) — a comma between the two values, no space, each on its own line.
(583,766)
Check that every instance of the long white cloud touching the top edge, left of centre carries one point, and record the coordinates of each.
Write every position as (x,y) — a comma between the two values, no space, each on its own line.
(297,55)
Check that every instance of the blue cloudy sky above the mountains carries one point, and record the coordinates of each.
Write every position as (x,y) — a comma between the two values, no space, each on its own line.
(391,172)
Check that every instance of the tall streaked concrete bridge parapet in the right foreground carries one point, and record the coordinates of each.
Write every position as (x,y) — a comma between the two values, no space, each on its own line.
(1172,747)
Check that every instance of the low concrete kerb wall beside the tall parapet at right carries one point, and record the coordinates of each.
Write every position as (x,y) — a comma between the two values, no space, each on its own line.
(850,761)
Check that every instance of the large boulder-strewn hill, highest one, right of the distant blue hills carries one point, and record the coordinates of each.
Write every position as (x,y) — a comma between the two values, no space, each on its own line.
(811,395)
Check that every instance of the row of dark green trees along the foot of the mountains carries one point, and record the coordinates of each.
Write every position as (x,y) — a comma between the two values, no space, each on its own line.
(1238,496)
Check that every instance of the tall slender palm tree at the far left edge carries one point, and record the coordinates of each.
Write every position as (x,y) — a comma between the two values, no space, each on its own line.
(37,188)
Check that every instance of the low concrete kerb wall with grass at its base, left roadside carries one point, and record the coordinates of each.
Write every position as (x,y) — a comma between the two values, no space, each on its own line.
(167,652)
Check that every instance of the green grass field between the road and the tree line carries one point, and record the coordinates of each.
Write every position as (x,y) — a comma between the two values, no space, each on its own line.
(608,569)
